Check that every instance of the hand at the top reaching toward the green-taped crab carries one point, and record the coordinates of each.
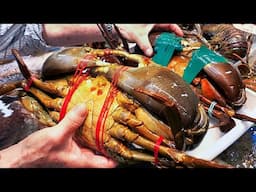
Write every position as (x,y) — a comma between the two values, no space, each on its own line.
(138,33)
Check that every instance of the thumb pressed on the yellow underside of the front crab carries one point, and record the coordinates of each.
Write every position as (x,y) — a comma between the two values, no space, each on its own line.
(73,120)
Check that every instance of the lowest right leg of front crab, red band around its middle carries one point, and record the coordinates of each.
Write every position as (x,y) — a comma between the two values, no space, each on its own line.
(123,133)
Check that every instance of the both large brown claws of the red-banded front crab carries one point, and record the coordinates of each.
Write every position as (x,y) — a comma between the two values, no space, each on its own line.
(162,92)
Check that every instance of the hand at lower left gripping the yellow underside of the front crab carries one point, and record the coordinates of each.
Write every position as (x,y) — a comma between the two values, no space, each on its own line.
(55,147)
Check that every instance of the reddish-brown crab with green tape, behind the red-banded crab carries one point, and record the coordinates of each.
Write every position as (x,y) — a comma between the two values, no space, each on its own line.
(218,83)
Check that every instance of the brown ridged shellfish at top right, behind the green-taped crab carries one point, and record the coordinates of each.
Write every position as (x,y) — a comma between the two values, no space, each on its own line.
(225,39)
